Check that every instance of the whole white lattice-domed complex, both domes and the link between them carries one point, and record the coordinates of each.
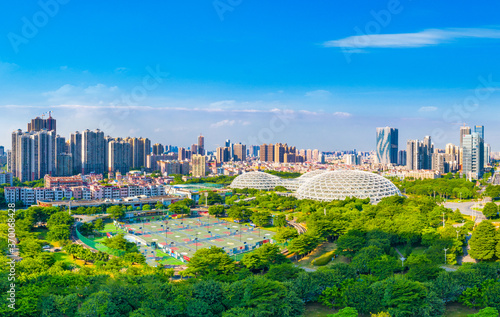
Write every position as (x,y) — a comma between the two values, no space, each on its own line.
(324,185)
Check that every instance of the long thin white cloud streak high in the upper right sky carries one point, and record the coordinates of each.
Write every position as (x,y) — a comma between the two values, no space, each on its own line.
(424,38)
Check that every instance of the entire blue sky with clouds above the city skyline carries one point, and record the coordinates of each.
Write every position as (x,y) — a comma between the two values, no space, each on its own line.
(321,74)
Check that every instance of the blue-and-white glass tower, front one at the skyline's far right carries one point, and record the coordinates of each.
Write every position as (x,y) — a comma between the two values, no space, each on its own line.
(473,156)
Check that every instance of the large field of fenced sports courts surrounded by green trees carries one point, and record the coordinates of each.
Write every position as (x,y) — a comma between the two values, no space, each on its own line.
(181,238)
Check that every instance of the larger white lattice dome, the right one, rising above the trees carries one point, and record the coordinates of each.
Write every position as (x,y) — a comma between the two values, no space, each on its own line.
(338,185)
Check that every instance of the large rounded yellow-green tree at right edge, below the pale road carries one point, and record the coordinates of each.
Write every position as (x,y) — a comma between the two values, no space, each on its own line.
(483,242)
